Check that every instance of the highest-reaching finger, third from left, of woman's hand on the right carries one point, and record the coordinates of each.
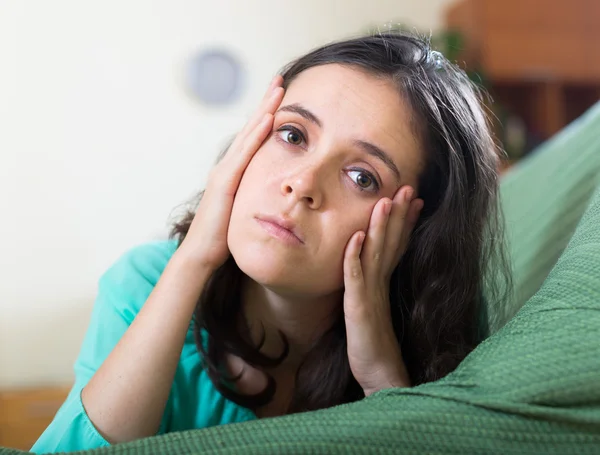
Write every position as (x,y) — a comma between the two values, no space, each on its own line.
(397,226)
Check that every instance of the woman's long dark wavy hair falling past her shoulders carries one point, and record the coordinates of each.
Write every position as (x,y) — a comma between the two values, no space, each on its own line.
(456,253)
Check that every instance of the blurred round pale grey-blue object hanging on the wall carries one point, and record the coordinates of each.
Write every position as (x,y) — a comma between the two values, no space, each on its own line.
(215,77)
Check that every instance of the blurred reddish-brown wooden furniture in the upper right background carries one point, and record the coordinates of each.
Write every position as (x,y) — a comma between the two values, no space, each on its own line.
(541,58)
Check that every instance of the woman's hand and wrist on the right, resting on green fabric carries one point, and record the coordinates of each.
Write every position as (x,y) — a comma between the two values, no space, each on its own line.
(369,260)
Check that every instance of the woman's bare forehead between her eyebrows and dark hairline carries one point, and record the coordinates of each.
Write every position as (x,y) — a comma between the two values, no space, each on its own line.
(353,102)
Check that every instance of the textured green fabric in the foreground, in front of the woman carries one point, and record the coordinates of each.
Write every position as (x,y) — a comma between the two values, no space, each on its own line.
(533,387)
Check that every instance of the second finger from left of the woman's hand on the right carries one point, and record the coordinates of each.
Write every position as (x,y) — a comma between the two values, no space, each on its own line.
(376,237)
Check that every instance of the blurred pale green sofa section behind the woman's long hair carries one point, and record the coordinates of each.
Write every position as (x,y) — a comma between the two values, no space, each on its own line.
(543,198)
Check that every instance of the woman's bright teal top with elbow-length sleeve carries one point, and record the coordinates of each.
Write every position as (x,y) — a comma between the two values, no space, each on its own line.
(193,400)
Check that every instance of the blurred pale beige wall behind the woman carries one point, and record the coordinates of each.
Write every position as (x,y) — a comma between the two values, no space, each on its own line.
(99,142)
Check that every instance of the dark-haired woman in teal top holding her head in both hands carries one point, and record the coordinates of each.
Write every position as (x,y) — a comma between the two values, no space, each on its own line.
(341,247)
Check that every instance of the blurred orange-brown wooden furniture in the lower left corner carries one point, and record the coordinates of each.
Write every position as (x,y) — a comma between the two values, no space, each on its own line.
(25,414)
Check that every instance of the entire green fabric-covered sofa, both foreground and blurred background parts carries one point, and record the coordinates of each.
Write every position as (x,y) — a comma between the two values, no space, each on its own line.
(532,387)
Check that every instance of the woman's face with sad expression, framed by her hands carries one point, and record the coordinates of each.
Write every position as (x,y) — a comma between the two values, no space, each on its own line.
(341,141)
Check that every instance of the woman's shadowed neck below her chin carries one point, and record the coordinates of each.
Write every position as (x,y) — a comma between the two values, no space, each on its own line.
(303,319)
